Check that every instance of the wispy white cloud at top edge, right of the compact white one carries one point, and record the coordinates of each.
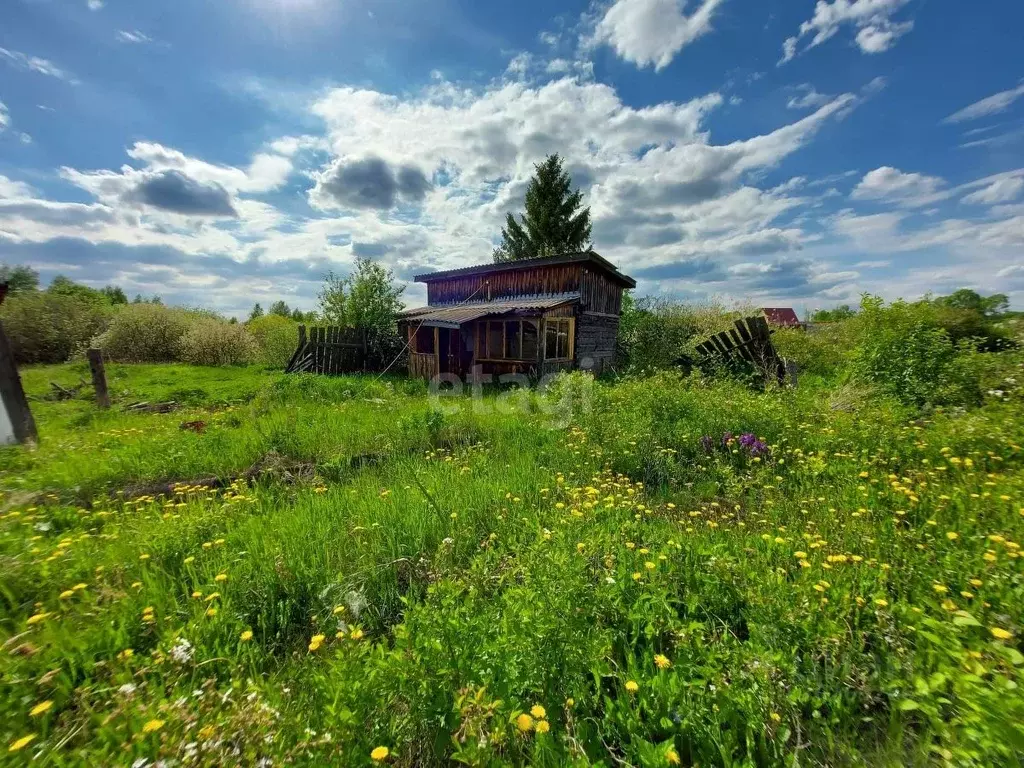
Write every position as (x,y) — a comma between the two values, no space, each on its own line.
(877,32)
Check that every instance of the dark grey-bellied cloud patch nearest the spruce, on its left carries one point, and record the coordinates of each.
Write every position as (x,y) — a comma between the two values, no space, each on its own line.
(368,183)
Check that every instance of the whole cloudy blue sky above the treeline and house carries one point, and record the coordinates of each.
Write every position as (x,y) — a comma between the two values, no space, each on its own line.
(783,154)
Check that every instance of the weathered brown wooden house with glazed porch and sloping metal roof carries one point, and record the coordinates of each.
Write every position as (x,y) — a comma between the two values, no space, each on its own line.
(534,317)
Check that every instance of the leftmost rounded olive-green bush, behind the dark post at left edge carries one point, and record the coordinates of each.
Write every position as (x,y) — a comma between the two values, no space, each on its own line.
(50,328)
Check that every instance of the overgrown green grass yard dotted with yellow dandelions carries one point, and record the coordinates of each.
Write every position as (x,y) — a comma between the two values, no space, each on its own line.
(657,571)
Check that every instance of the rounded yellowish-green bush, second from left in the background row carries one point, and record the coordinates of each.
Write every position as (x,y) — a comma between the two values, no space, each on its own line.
(145,333)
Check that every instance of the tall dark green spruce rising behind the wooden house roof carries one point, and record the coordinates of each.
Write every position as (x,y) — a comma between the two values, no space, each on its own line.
(556,222)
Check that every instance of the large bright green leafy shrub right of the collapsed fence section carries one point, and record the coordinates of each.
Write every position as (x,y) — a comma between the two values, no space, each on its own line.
(904,350)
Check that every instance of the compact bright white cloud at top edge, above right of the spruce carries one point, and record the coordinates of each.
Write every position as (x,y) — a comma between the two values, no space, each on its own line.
(653,32)
